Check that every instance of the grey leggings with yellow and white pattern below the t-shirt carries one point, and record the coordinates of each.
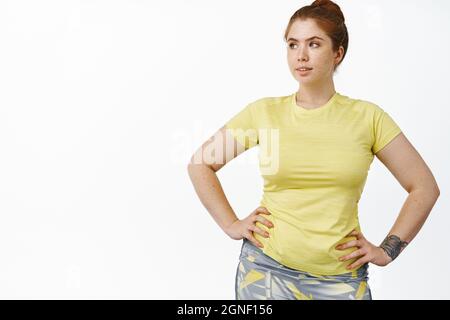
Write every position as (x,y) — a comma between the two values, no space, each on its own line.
(259,277)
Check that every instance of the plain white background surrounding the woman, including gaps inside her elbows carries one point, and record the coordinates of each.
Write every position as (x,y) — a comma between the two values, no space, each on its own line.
(102,104)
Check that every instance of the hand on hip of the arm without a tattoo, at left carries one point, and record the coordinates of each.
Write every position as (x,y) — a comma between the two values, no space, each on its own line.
(244,228)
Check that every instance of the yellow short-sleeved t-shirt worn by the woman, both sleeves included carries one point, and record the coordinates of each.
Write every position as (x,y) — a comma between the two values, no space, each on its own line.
(314,163)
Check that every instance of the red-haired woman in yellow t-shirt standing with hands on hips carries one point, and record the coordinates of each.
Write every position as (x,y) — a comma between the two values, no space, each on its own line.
(304,240)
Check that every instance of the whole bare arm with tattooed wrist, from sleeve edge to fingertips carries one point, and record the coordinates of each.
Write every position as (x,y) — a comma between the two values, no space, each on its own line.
(400,157)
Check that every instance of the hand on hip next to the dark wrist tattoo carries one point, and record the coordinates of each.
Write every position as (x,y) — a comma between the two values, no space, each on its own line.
(367,252)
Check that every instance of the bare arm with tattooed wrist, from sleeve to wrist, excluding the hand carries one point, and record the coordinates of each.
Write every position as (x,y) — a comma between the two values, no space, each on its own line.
(411,171)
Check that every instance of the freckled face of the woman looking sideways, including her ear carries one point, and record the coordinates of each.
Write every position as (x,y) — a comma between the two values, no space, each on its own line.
(313,53)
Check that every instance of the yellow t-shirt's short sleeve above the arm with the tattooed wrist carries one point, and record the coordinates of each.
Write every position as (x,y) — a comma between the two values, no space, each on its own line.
(384,129)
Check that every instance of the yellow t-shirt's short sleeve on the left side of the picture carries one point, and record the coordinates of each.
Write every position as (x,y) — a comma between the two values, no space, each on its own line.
(243,128)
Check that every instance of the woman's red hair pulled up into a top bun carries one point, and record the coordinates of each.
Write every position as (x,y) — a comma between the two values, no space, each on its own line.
(329,18)
